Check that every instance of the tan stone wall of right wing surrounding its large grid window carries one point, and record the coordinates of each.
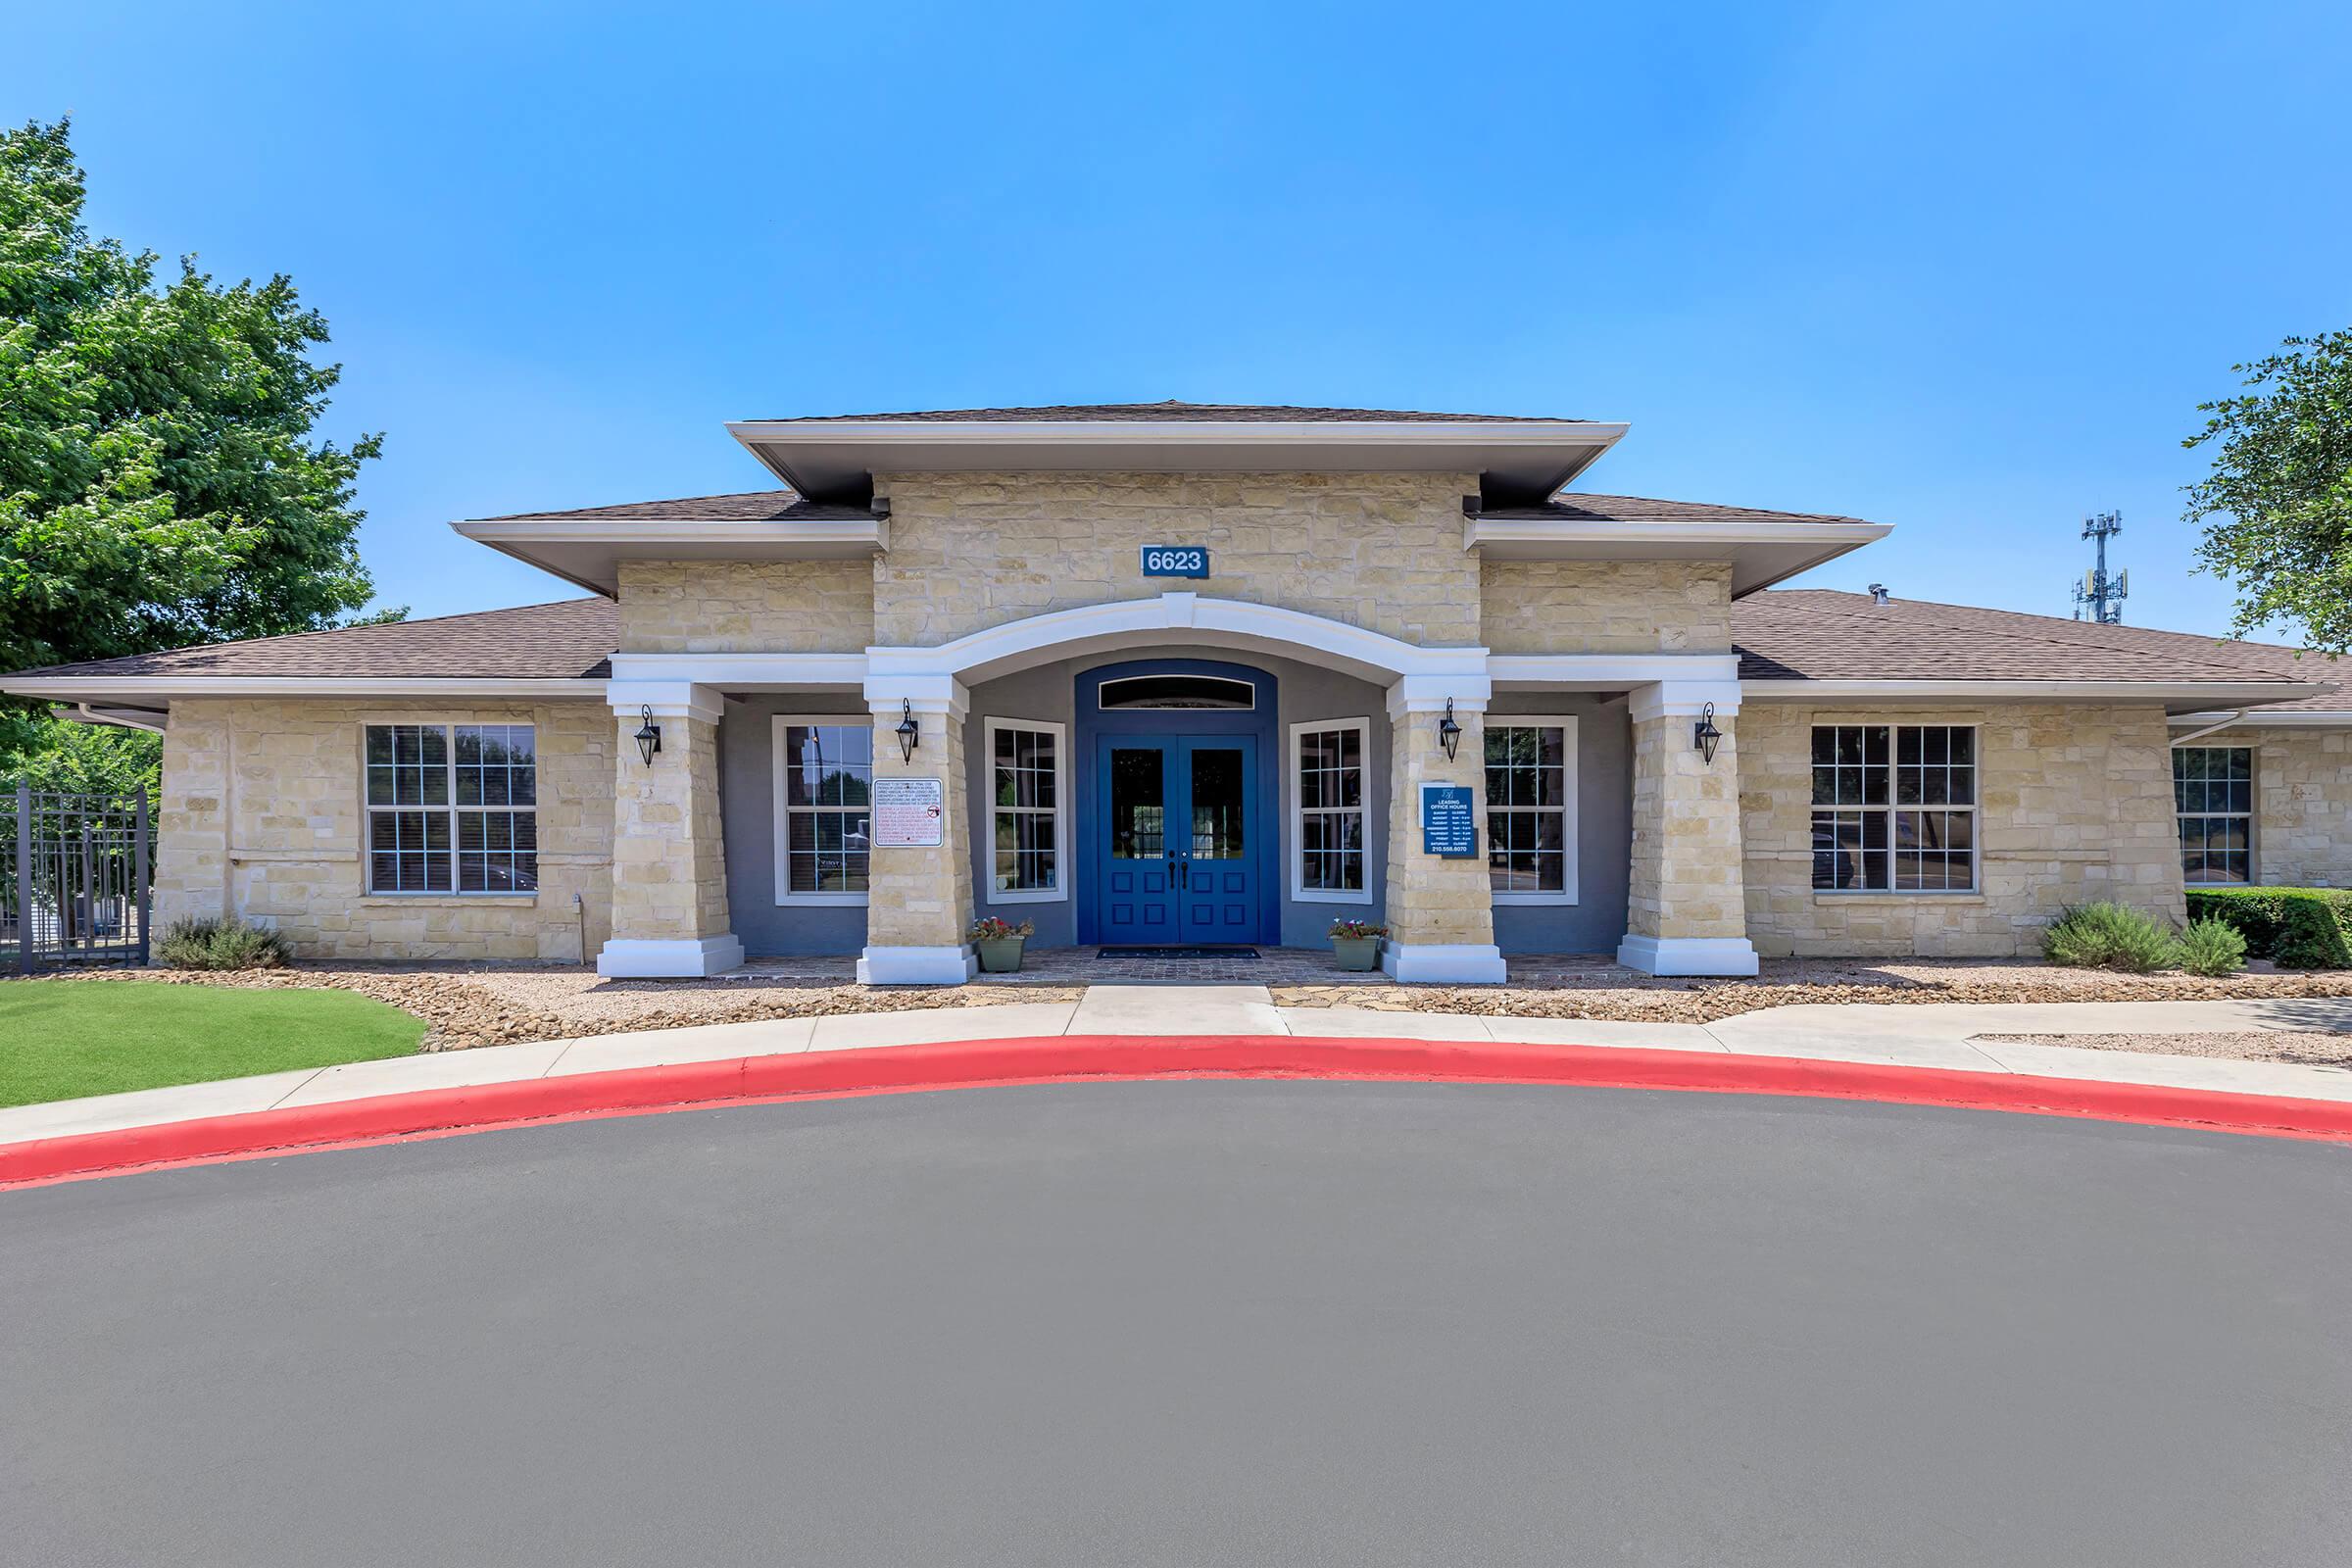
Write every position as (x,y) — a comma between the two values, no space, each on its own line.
(2076,803)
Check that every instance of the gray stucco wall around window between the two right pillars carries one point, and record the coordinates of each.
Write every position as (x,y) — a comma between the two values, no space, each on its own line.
(1596,923)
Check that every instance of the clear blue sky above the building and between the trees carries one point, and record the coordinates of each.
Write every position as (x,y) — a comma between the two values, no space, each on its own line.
(1958,269)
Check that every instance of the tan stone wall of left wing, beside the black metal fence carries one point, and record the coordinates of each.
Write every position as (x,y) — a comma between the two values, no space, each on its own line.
(262,817)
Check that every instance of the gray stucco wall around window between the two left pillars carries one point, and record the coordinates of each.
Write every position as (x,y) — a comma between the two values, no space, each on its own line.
(749,822)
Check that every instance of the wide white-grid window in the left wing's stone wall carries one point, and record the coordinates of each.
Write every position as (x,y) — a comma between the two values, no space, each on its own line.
(453,808)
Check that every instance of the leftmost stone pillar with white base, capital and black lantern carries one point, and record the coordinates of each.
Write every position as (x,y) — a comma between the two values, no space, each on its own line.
(669,857)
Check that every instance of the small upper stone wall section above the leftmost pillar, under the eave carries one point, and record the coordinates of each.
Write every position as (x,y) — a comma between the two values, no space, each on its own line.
(747,608)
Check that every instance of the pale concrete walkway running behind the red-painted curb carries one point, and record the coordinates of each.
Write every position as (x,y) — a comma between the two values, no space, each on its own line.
(1932,1036)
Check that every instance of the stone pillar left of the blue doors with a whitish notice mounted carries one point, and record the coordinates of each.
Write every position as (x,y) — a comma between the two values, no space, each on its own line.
(918,902)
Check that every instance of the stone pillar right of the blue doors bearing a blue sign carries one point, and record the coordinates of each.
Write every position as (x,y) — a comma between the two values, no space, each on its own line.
(1441,913)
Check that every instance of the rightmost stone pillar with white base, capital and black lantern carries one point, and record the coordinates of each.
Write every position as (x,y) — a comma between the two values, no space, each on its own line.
(1685,909)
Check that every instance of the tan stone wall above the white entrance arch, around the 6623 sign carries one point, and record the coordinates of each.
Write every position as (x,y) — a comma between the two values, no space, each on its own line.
(982,549)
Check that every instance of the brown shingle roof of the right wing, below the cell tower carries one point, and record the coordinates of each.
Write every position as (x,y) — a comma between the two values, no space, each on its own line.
(1817,634)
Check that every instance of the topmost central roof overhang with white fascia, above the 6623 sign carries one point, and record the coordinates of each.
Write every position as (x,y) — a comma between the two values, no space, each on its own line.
(834,460)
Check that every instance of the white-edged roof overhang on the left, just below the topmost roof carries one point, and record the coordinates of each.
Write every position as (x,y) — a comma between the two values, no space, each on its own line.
(589,551)
